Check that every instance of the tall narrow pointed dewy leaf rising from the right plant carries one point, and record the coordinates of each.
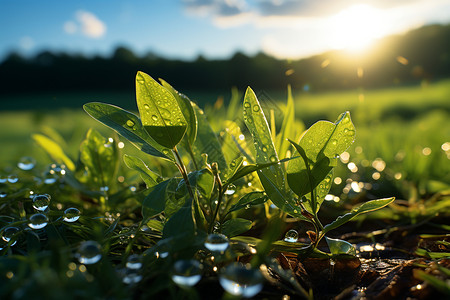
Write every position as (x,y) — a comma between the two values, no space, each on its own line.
(272,178)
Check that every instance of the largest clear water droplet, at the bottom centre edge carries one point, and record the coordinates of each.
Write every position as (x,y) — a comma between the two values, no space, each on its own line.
(240,280)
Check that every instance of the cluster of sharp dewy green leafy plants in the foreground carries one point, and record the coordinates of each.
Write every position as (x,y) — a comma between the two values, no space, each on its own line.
(169,121)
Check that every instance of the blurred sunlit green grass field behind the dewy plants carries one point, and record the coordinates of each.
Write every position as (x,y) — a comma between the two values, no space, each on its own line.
(387,121)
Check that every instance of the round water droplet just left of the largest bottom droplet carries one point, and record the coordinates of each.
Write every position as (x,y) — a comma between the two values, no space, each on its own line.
(187,273)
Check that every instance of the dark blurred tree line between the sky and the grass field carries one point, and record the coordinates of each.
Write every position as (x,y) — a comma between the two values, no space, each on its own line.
(421,54)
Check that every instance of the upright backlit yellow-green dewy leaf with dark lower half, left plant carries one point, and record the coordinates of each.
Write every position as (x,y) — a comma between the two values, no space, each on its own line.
(159,110)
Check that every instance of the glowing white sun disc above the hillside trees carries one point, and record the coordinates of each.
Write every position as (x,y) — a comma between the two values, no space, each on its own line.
(356,27)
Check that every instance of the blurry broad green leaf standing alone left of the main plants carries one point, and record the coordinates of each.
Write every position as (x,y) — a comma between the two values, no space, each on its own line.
(101,161)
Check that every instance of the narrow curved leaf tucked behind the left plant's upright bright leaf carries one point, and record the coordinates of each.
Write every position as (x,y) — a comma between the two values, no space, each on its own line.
(187,110)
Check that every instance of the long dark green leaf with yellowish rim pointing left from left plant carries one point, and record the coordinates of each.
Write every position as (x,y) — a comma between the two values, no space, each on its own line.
(127,125)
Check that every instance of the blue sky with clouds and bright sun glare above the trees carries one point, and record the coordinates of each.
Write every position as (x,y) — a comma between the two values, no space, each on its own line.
(185,29)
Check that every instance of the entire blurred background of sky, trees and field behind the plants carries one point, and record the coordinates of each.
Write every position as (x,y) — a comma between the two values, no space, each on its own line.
(387,62)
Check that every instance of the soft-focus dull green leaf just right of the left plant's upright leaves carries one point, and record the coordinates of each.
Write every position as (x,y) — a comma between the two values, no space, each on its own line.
(207,142)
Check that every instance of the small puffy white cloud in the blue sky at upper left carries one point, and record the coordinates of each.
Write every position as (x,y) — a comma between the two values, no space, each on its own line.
(87,23)
